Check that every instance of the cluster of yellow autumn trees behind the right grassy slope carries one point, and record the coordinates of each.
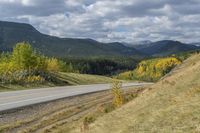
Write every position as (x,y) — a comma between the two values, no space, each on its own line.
(151,70)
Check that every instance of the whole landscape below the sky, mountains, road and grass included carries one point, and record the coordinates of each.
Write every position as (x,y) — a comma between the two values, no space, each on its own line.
(75,85)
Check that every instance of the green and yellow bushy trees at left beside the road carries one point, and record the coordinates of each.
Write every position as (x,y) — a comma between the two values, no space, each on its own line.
(24,65)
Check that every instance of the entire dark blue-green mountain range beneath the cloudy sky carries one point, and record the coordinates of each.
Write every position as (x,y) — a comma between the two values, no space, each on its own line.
(12,33)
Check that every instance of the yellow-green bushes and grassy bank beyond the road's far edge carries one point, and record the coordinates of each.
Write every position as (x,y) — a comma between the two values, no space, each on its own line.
(24,68)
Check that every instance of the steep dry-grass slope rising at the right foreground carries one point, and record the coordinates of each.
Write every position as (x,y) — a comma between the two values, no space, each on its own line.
(170,106)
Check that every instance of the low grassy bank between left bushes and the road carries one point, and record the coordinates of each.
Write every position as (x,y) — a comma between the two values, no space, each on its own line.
(60,79)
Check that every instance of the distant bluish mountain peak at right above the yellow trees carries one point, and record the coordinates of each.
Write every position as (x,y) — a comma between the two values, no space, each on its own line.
(165,47)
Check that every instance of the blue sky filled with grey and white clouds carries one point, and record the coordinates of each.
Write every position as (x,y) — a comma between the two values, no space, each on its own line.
(109,20)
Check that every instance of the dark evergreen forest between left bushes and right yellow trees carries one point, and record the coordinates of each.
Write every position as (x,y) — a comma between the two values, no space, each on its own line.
(102,65)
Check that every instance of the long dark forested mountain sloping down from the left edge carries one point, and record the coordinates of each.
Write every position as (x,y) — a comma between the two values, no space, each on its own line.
(11,33)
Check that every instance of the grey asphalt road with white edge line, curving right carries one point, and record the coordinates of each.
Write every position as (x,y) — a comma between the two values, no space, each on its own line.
(16,99)
